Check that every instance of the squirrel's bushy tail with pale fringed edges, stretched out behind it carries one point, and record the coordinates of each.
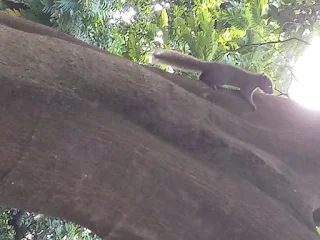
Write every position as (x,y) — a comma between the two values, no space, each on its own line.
(178,60)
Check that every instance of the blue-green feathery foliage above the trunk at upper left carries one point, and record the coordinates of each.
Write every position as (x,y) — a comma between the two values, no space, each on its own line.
(82,19)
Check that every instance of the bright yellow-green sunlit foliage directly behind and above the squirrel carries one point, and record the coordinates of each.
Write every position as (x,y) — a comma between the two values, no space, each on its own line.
(229,32)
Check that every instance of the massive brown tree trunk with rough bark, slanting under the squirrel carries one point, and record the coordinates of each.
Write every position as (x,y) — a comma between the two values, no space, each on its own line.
(135,153)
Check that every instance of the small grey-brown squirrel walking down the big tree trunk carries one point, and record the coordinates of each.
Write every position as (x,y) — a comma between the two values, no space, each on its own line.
(216,74)
